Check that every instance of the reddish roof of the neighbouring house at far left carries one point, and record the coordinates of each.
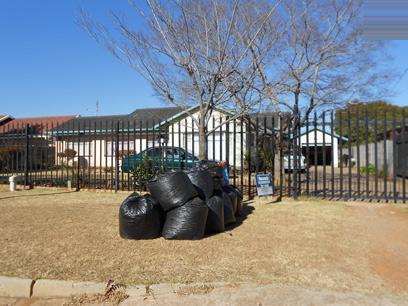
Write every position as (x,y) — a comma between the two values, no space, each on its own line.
(37,124)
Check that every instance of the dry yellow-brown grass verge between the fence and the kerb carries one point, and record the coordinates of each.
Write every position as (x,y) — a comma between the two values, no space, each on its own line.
(69,235)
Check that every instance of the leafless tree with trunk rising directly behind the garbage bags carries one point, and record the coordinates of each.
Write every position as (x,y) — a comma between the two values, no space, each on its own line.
(193,52)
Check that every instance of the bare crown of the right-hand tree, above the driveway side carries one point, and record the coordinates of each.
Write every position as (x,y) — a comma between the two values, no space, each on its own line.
(324,59)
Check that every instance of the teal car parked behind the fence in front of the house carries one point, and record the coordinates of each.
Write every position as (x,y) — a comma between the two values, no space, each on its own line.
(169,158)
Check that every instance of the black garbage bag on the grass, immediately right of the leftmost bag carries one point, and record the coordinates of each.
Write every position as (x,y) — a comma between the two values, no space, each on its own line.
(186,222)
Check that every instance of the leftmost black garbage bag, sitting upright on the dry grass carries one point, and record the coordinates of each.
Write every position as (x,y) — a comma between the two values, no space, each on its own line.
(140,217)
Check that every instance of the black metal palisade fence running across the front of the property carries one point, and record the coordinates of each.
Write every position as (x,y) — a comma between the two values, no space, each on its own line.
(337,155)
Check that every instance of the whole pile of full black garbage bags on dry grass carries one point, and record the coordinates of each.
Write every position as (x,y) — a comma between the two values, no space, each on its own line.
(181,205)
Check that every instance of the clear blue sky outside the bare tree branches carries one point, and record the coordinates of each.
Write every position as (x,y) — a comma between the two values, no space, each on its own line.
(49,66)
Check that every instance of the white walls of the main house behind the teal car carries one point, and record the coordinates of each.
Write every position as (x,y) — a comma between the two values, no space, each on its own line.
(98,153)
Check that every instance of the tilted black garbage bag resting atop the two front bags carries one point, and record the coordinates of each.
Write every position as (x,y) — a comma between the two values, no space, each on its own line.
(172,189)
